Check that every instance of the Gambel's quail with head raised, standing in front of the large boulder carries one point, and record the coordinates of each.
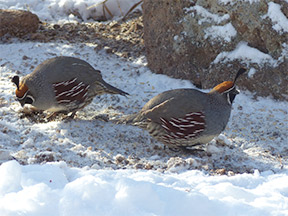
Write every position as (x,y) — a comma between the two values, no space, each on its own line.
(184,118)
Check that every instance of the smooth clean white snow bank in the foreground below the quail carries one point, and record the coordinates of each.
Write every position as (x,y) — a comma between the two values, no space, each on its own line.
(55,189)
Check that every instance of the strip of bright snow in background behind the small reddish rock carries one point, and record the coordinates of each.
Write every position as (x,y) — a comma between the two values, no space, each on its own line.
(71,10)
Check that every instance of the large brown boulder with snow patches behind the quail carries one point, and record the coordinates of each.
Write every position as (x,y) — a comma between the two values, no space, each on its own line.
(207,41)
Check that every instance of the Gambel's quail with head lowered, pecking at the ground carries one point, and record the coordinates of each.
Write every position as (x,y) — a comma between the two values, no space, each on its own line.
(62,84)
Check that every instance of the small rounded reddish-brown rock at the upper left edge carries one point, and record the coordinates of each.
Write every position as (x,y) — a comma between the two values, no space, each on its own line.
(17,22)
